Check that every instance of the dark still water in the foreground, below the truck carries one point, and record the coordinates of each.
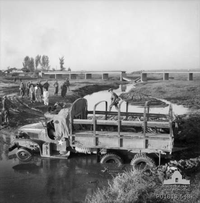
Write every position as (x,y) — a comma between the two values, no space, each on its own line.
(48,180)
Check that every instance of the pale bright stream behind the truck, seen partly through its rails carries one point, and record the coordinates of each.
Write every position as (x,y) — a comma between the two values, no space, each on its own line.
(105,95)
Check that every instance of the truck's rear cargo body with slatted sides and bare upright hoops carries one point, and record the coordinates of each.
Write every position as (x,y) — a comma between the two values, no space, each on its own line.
(139,143)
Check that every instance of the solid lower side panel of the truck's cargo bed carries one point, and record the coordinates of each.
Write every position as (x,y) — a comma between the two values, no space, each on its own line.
(126,140)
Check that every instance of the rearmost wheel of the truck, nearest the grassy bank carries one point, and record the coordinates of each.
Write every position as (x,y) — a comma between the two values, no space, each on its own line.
(142,162)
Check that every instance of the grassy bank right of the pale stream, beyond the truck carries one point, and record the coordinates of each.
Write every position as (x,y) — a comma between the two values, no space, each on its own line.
(186,93)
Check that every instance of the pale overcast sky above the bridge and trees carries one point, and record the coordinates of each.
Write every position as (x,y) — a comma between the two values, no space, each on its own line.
(102,35)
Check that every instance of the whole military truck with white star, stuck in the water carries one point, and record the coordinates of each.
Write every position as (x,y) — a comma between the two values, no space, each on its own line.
(114,136)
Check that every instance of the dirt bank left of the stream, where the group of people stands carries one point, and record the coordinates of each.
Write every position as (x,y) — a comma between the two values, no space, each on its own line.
(22,111)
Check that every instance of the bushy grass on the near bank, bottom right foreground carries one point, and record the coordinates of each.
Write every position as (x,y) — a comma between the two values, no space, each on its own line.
(145,187)
